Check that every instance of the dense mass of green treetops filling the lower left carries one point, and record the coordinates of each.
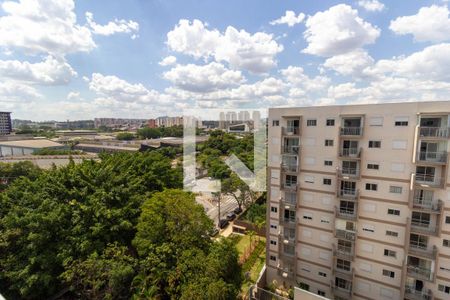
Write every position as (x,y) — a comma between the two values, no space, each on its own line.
(84,231)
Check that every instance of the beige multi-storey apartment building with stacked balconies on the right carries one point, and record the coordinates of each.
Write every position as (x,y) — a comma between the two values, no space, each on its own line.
(359,200)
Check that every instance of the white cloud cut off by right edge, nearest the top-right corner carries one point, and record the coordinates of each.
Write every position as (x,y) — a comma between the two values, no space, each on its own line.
(429,24)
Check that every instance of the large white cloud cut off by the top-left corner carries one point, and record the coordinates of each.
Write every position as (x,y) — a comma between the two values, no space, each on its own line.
(43,26)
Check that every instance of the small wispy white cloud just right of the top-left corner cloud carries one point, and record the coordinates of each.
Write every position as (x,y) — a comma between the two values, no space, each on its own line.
(116,26)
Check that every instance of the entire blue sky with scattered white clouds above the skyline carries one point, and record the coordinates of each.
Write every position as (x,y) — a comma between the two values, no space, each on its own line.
(64,59)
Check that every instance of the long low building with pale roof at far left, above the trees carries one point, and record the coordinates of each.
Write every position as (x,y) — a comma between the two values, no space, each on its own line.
(27,147)
